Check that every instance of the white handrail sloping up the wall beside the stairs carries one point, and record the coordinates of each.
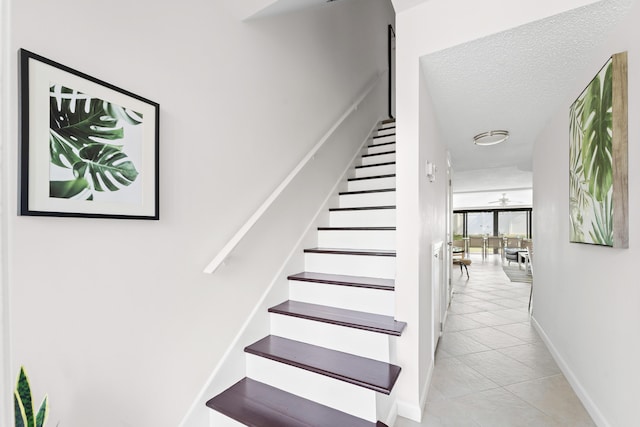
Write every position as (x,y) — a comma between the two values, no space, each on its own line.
(228,248)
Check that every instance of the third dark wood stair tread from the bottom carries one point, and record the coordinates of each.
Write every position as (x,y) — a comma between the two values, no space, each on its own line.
(338,316)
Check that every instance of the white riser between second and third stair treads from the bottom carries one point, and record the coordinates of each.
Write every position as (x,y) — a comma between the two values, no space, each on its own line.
(340,338)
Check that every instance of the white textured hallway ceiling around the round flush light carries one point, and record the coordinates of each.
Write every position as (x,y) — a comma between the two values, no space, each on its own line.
(514,80)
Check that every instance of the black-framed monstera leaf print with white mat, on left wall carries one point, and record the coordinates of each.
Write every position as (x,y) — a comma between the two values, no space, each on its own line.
(87,148)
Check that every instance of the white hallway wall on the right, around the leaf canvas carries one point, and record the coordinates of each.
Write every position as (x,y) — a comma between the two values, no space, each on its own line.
(587,298)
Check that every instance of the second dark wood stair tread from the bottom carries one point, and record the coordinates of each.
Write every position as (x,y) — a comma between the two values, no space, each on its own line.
(357,370)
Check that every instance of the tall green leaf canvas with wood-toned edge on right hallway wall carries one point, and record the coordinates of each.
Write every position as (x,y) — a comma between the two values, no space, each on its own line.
(598,194)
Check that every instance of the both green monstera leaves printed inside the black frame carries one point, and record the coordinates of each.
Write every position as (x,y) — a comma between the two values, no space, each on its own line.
(85,138)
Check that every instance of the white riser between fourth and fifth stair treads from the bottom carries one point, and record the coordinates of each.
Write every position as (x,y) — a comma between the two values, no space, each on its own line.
(351,265)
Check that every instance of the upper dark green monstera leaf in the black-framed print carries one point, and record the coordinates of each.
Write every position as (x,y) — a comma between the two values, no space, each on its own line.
(79,120)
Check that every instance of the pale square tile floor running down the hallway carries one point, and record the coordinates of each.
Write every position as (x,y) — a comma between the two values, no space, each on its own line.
(492,369)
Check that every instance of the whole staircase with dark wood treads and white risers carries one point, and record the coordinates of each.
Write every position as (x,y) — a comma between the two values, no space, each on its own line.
(328,360)
